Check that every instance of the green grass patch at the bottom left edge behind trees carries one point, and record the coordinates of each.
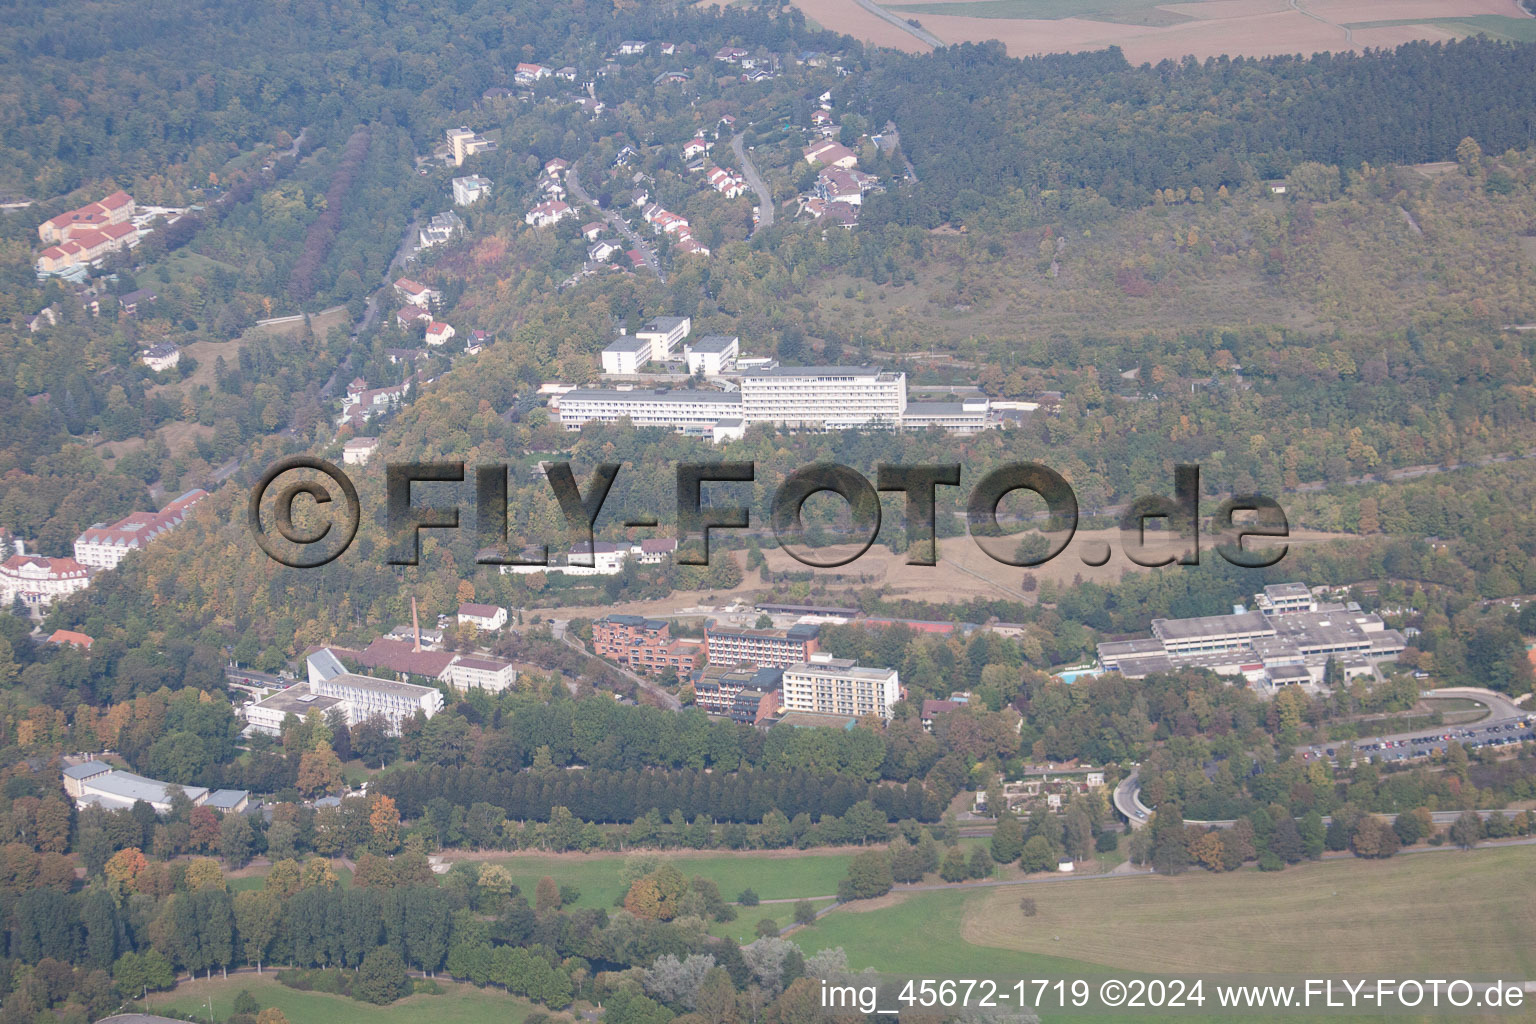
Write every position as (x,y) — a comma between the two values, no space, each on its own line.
(458,1005)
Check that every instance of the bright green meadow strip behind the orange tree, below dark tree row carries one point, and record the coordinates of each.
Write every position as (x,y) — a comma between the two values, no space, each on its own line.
(772,876)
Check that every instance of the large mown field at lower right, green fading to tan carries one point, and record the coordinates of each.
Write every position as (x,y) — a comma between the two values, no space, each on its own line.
(1428,913)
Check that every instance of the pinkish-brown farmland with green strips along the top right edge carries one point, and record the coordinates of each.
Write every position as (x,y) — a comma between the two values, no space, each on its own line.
(1151,31)
